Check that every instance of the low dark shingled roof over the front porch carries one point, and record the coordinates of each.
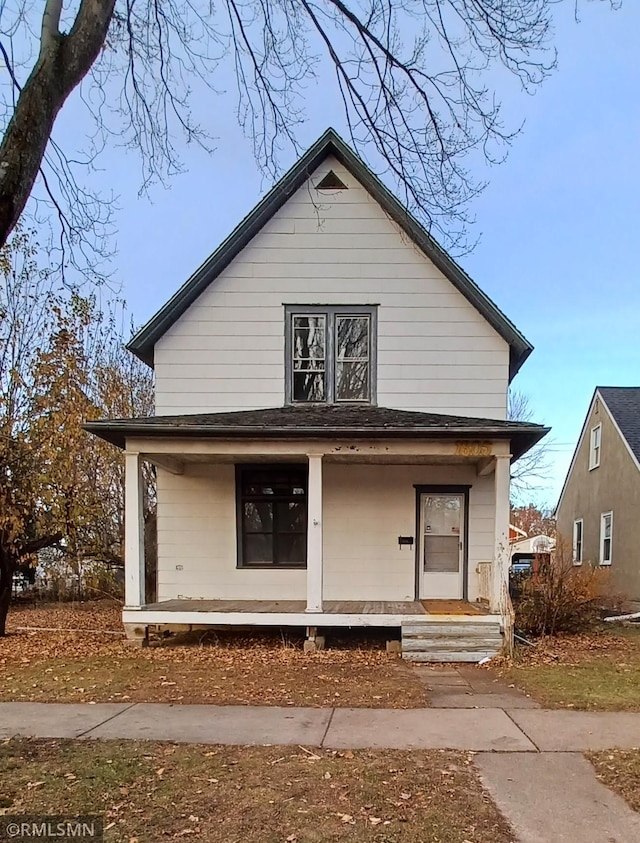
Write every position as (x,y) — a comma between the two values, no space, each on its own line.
(321,421)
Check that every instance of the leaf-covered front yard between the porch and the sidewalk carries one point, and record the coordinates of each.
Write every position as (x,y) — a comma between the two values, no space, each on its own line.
(257,668)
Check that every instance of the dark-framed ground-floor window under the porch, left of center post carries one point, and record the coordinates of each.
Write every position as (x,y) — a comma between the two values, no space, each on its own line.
(272,516)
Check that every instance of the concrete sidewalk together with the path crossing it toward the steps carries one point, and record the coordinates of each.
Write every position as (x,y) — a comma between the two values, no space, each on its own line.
(548,794)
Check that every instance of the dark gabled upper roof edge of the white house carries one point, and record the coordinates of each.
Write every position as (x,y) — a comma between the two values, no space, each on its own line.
(330,144)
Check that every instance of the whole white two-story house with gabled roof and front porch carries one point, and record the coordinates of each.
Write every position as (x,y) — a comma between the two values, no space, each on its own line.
(331,441)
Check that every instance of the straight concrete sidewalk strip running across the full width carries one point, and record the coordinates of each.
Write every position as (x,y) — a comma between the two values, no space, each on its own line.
(480,730)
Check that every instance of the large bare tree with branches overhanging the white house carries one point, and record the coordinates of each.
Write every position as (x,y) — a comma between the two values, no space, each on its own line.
(409,78)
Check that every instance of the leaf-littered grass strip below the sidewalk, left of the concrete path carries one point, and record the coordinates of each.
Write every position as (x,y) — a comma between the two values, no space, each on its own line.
(147,792)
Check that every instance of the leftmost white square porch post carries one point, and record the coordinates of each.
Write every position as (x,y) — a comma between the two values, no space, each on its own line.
(134,584)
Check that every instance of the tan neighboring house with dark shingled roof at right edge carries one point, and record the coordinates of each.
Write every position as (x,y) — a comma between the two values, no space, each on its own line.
(599,507)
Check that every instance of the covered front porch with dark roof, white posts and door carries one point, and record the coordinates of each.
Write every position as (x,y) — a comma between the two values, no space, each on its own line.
(298,516)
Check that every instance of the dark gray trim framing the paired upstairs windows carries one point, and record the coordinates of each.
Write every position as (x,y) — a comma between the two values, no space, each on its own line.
(331,311)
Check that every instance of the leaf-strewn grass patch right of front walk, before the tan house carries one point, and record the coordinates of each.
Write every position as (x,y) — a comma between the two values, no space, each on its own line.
(596,672)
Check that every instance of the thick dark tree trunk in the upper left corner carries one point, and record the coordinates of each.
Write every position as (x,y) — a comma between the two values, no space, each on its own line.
(63,62)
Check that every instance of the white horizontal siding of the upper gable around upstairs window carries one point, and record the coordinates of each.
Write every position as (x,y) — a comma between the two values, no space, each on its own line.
(435,351)
